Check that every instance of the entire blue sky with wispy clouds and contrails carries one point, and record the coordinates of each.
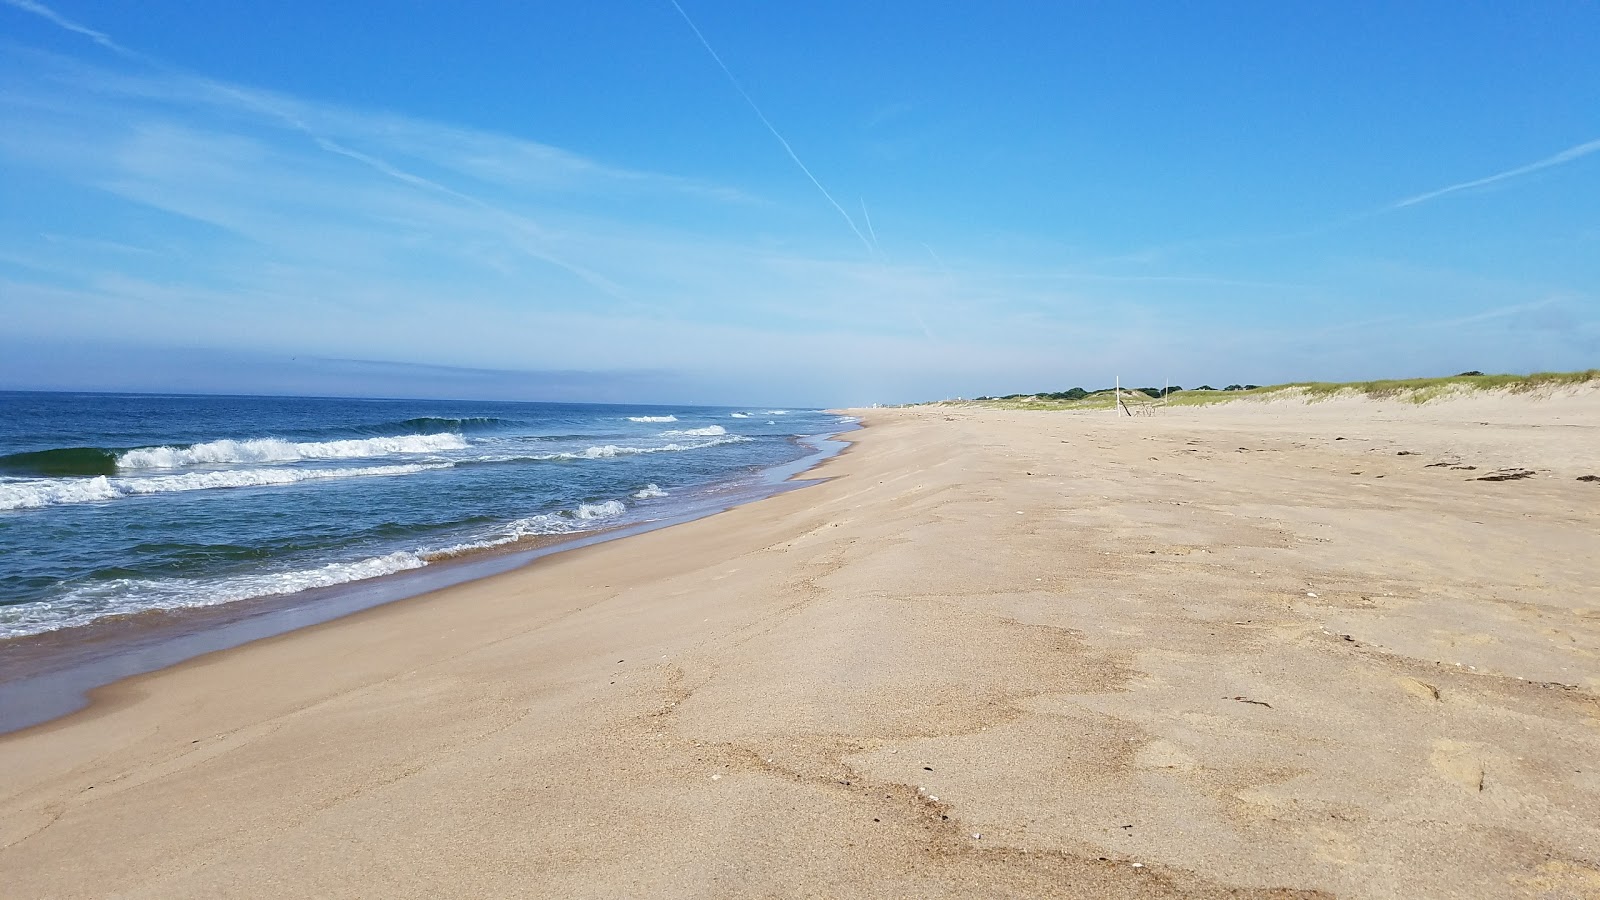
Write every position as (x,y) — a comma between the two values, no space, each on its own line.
(791,203)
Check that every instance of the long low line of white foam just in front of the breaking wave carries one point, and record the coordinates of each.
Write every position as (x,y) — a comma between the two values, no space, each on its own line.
(60,492)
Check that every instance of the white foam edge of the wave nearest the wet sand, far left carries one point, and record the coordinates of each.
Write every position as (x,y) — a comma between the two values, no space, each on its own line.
(126,597)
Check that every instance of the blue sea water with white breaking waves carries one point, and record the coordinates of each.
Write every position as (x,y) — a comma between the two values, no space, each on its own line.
(116,505)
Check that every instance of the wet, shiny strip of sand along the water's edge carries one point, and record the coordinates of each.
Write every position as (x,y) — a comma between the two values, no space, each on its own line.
(54,675)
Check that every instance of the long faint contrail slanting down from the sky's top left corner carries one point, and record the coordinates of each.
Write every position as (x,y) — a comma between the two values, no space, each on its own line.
(252,100)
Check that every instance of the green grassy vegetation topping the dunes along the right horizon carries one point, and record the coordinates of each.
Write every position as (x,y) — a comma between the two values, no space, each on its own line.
(1410,390)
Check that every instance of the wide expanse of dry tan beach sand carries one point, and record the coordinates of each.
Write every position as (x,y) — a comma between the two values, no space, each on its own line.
(1001,654)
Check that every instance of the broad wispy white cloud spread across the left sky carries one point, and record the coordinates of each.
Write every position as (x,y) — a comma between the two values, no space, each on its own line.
(295,235)
